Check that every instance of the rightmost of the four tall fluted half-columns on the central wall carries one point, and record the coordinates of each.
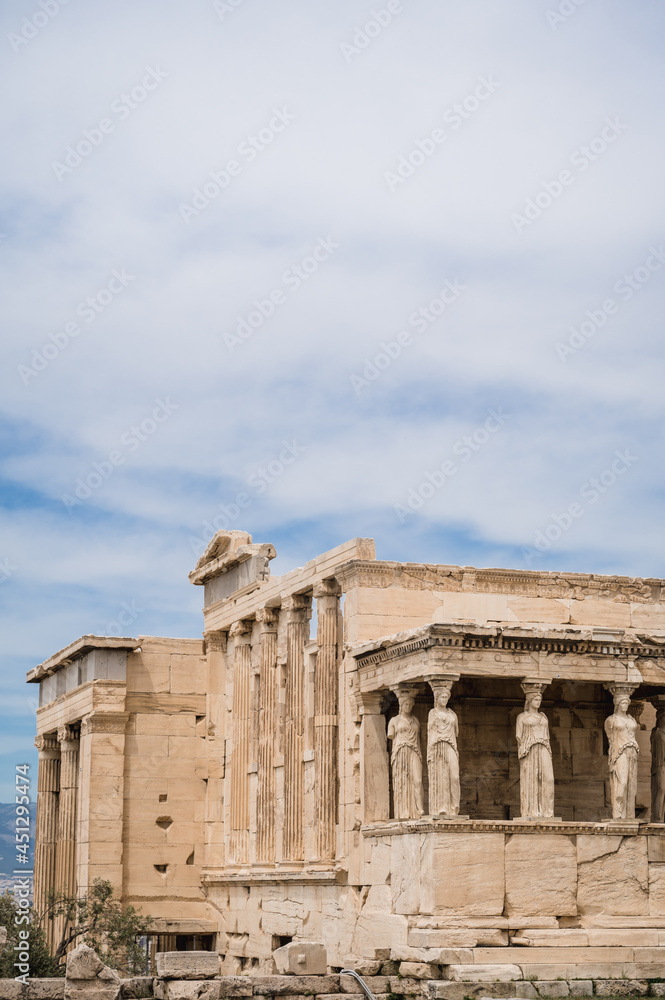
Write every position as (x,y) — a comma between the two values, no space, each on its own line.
(326,698)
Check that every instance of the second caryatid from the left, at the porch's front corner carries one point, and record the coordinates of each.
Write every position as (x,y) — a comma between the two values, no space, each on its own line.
(442,755)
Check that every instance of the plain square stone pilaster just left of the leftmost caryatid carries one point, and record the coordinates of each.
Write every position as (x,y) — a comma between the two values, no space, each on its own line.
(374,761)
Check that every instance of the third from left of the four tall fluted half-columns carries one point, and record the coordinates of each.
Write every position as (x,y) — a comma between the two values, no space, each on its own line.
(296,609)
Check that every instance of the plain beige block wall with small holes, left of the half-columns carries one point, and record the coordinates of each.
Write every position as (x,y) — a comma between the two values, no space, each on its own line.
(164,771)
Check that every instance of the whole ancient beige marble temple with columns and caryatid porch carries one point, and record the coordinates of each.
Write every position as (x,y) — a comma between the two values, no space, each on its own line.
(424,763)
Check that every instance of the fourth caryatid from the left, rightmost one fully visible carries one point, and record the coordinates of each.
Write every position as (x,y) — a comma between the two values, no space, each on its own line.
(621,729)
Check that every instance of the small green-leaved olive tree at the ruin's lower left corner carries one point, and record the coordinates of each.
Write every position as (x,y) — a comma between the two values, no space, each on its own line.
(103,923)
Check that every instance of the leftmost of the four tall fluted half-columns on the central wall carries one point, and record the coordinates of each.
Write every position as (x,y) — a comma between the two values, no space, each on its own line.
(240,632)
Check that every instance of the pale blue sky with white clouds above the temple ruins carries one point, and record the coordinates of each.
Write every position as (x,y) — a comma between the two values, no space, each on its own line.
(316,271)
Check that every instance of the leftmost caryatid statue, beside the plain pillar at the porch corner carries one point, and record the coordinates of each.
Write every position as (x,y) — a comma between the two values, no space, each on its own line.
(406,757)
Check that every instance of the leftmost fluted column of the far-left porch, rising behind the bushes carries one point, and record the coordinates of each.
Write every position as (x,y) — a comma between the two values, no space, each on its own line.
(46,836)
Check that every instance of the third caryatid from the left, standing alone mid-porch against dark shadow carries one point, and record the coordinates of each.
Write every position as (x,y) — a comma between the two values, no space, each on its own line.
(535,755)
